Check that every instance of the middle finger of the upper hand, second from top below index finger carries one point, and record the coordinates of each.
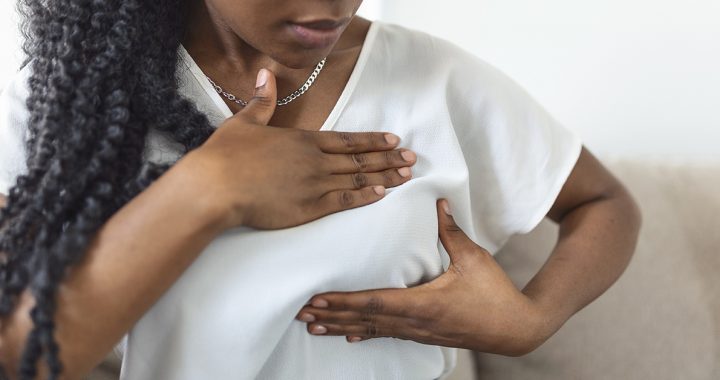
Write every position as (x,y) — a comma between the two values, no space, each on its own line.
(370,162)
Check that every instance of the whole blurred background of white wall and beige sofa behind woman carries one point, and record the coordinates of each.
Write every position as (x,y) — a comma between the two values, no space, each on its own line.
(639,81)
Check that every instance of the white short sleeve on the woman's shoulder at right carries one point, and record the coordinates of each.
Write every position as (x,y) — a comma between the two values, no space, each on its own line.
(518,155)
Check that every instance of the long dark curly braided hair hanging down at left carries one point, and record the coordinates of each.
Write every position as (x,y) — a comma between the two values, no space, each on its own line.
(103,73)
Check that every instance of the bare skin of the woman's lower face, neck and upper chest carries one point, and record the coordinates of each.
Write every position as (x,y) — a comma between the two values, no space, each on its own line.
(232,60)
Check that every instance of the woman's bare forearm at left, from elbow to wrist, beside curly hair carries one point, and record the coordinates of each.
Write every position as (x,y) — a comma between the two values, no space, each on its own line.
(133,259)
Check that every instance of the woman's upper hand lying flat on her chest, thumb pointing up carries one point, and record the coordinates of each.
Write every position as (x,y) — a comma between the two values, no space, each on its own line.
(270,178)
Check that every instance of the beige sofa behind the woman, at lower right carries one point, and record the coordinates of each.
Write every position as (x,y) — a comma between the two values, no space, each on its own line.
(660,321)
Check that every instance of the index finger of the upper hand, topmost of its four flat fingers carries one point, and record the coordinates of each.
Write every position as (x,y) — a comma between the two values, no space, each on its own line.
(355,142)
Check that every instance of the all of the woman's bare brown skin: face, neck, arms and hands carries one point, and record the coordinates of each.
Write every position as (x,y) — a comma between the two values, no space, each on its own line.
(144,248)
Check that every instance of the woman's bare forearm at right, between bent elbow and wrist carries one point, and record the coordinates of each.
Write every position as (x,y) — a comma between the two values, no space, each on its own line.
(596,241)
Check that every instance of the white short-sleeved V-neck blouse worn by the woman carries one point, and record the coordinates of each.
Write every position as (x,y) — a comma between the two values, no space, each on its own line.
(482,142)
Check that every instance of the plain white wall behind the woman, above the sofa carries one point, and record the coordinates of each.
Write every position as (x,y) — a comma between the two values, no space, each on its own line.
(635,78)
